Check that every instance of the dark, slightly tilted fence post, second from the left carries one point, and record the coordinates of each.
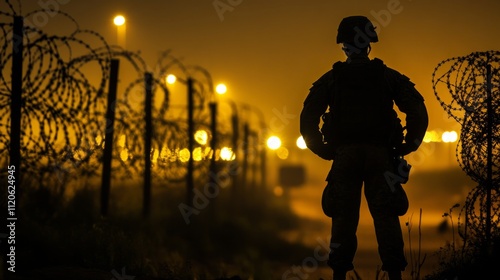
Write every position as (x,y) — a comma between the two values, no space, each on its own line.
(108,140)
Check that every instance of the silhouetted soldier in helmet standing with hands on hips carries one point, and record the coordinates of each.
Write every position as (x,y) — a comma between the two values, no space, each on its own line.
(362,134)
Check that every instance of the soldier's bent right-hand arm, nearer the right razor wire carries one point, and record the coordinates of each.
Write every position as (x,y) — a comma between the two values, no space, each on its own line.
(411,103)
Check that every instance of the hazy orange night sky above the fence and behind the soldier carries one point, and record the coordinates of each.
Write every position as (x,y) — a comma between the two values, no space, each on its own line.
(269,52)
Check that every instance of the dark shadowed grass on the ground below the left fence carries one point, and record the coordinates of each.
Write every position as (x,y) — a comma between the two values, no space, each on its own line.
(236,234)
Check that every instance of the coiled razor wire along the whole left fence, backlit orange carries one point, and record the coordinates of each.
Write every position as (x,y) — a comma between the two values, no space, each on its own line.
(64,104)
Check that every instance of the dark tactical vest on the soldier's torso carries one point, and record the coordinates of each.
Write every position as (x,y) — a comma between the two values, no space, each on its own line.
(361,106)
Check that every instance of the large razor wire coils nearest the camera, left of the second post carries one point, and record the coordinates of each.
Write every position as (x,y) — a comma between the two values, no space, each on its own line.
(59,100)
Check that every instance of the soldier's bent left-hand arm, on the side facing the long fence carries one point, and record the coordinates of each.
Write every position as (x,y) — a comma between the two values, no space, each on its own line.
(315,105)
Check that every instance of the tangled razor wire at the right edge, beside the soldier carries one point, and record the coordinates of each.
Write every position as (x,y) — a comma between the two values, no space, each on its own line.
(464,87)
